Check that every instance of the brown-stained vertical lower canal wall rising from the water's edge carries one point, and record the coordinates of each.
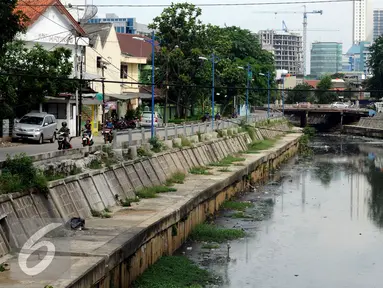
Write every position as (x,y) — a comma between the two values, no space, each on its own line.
(167,232)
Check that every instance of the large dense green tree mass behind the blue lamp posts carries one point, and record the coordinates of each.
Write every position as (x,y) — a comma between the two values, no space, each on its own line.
(184,39)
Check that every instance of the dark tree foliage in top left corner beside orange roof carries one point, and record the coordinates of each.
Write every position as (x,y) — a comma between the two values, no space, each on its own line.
(12,22)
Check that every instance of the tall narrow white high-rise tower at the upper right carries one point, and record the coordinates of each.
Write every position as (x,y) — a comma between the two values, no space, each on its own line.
(362,21)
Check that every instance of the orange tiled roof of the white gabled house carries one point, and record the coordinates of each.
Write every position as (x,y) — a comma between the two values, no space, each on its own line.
(33,9)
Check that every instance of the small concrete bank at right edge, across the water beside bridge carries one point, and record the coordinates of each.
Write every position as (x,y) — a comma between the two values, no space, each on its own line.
(368,127)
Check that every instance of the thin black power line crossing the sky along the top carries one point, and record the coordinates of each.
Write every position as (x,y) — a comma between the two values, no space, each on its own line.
(211,4)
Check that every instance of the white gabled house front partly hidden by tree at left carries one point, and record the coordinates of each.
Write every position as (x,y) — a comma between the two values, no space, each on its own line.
(52,27)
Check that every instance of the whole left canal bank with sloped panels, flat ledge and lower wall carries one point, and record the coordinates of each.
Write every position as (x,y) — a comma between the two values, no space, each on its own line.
(113,252)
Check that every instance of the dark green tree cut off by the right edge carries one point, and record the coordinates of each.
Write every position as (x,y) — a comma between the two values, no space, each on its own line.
(375,63)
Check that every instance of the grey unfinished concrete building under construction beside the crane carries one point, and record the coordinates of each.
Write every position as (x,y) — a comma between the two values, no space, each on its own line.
(286,47)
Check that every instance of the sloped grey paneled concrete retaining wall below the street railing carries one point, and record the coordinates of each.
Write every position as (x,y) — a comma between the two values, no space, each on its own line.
(77,196)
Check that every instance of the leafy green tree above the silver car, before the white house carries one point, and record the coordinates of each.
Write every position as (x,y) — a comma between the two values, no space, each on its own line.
(46,74)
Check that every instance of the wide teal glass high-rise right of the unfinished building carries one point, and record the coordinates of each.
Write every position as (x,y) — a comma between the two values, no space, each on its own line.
(326,58)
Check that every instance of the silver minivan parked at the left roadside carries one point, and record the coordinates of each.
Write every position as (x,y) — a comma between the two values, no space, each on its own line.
(36,127)
